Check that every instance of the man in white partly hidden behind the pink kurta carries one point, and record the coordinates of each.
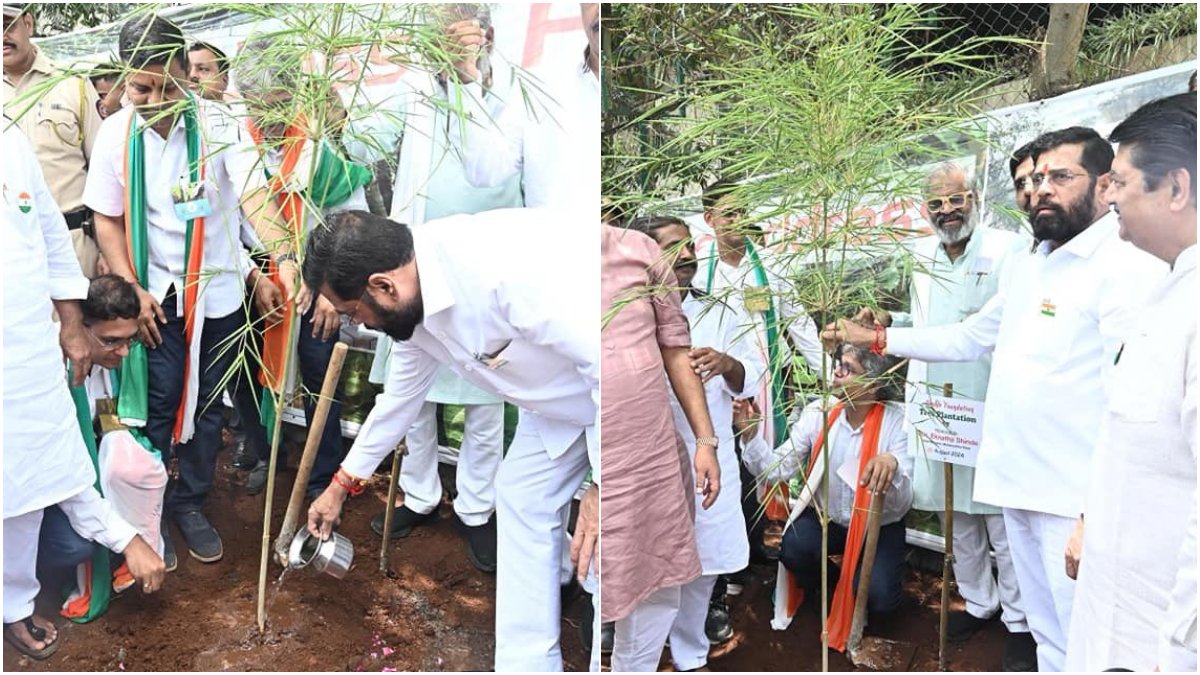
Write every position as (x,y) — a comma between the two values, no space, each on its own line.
(727,359)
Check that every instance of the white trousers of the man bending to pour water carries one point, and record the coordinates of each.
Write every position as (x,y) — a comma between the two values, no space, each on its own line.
(532,494)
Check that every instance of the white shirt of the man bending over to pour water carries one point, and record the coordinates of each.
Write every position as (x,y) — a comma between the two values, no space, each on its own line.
(491,285)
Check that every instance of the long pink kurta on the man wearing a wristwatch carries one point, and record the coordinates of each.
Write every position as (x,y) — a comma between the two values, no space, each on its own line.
(647,525)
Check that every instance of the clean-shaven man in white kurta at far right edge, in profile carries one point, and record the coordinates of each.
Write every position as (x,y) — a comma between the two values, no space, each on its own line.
(1136,601)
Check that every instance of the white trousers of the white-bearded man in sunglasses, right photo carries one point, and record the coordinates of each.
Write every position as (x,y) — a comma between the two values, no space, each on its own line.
(974,537)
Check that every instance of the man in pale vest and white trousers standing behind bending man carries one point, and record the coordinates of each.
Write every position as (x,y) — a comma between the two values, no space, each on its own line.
(431,184)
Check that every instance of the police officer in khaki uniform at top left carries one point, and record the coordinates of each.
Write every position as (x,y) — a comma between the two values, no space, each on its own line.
(61,122)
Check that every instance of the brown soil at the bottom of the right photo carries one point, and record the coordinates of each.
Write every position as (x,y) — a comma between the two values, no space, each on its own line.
(757,647)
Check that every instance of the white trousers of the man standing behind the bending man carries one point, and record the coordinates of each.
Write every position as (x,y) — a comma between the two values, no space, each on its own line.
(483,444)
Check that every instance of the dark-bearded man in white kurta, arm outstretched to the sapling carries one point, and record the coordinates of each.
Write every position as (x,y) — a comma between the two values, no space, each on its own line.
(1054,328)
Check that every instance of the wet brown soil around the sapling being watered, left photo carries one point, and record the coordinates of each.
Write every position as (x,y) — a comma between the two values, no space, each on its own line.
(433,612)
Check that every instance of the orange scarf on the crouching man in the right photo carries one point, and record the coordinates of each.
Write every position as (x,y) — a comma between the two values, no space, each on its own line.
(842,614)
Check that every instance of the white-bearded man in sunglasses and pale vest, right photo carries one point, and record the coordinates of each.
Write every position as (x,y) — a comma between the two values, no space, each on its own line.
(957,271)
